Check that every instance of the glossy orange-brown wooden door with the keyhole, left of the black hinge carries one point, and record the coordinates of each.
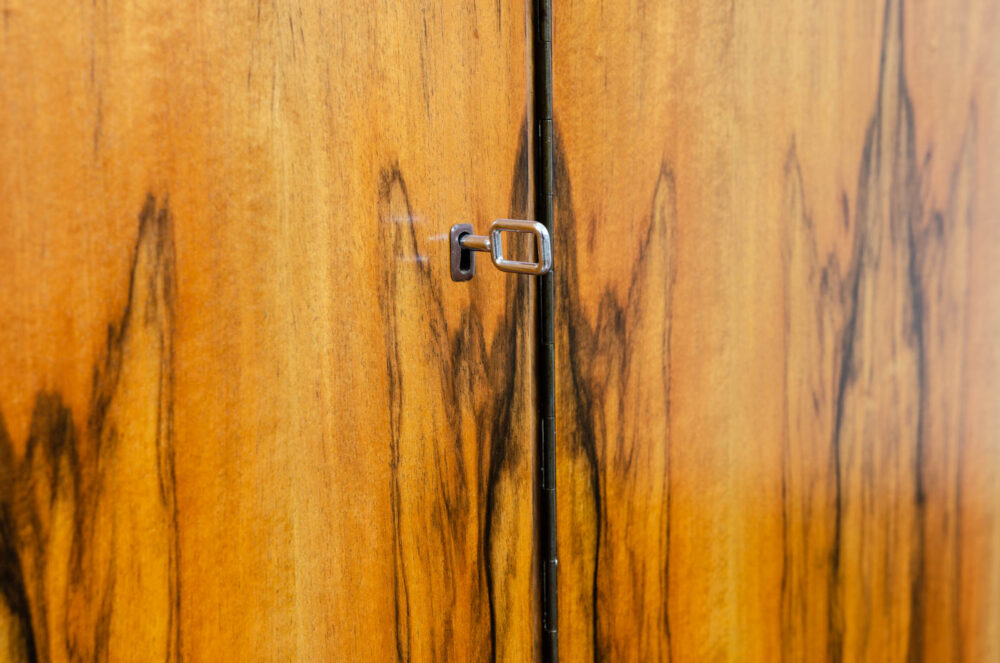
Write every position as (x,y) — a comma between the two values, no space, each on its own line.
(245,414)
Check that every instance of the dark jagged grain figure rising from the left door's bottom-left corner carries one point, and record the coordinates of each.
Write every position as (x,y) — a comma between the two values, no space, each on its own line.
(70,503)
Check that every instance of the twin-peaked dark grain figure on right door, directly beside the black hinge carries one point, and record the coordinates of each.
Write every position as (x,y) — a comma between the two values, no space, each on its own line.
(615,400)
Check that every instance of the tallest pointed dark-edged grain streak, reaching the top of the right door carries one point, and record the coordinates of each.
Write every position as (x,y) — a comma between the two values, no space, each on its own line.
(875,558)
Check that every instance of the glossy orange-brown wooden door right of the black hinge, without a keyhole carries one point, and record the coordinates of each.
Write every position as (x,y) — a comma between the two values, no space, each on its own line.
(779,300)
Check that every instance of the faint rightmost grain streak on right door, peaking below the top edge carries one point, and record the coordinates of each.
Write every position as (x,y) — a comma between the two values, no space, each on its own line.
(943,255)
